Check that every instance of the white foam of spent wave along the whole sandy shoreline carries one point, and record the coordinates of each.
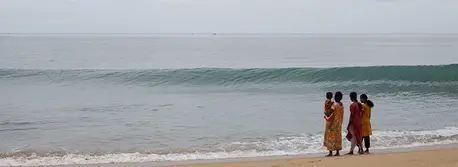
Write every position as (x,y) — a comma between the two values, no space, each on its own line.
(295,145)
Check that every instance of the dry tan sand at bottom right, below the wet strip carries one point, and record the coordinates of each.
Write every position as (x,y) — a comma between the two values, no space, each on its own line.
(439,158)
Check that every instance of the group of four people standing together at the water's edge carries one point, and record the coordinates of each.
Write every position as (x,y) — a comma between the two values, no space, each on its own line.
(359,126)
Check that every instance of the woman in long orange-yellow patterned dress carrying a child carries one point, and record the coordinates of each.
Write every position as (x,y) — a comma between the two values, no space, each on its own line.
(333,132)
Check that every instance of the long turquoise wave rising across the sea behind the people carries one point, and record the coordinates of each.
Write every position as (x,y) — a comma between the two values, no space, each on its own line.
(231,76)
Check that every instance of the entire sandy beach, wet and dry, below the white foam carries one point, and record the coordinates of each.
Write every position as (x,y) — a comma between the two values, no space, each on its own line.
(439,155)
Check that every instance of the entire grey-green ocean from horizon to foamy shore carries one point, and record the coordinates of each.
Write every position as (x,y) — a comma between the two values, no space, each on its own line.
(98,98)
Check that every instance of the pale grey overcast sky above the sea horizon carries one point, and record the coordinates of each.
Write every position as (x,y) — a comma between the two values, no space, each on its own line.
(229,16)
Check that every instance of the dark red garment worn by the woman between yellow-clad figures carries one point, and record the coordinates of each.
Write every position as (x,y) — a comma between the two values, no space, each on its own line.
(356,122)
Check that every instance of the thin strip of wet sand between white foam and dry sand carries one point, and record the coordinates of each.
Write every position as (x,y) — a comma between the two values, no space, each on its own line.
(235,162)
